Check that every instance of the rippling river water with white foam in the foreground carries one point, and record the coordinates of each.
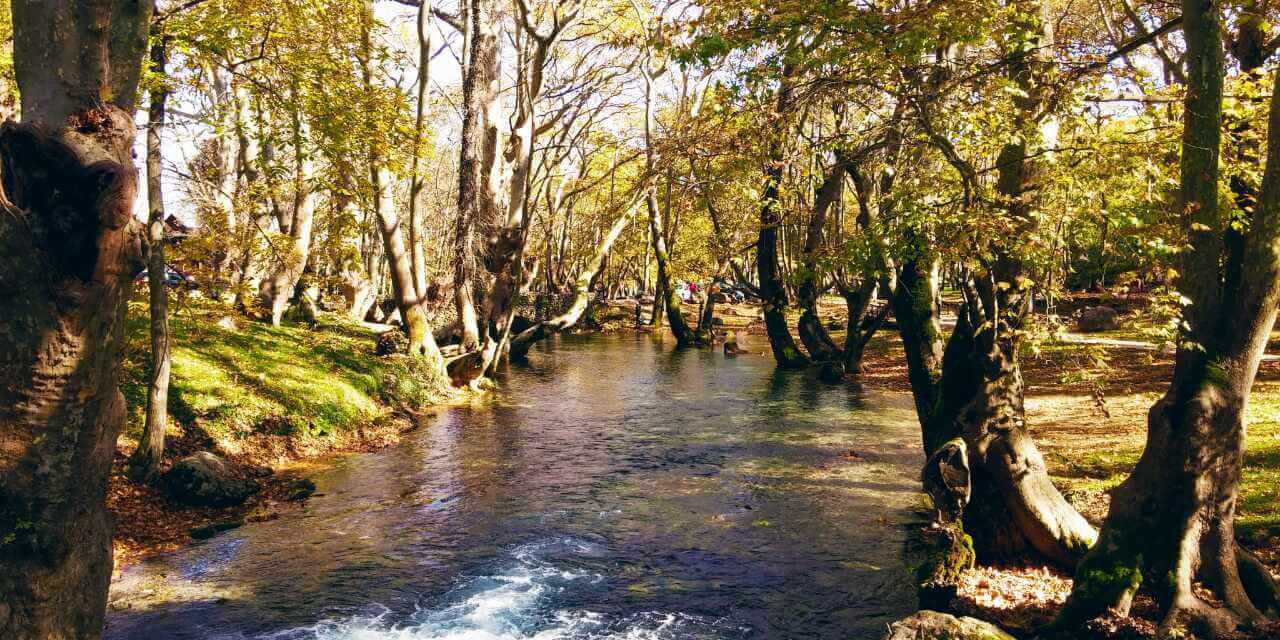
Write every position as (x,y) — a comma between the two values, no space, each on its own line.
(615,490)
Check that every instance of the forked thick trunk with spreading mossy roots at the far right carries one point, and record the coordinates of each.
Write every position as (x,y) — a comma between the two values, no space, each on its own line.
(1172,523)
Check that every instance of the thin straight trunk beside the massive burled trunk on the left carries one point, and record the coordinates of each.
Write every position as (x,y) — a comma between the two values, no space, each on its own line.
(145,461)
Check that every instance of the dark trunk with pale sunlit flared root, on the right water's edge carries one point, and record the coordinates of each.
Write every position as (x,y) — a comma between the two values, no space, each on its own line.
(976,391)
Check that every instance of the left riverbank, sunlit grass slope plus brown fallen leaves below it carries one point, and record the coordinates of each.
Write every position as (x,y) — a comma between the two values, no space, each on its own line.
(286,397)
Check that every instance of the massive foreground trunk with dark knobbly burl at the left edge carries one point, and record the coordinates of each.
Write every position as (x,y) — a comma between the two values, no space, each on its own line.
(68,250)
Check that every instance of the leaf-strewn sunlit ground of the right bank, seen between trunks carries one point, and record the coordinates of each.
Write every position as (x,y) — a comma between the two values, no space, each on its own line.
(1087,405)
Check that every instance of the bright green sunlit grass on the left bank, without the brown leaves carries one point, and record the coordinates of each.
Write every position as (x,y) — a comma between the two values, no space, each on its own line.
(290,381)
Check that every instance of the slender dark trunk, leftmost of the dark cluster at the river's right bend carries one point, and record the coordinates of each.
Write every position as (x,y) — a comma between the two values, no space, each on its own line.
(775,295)
